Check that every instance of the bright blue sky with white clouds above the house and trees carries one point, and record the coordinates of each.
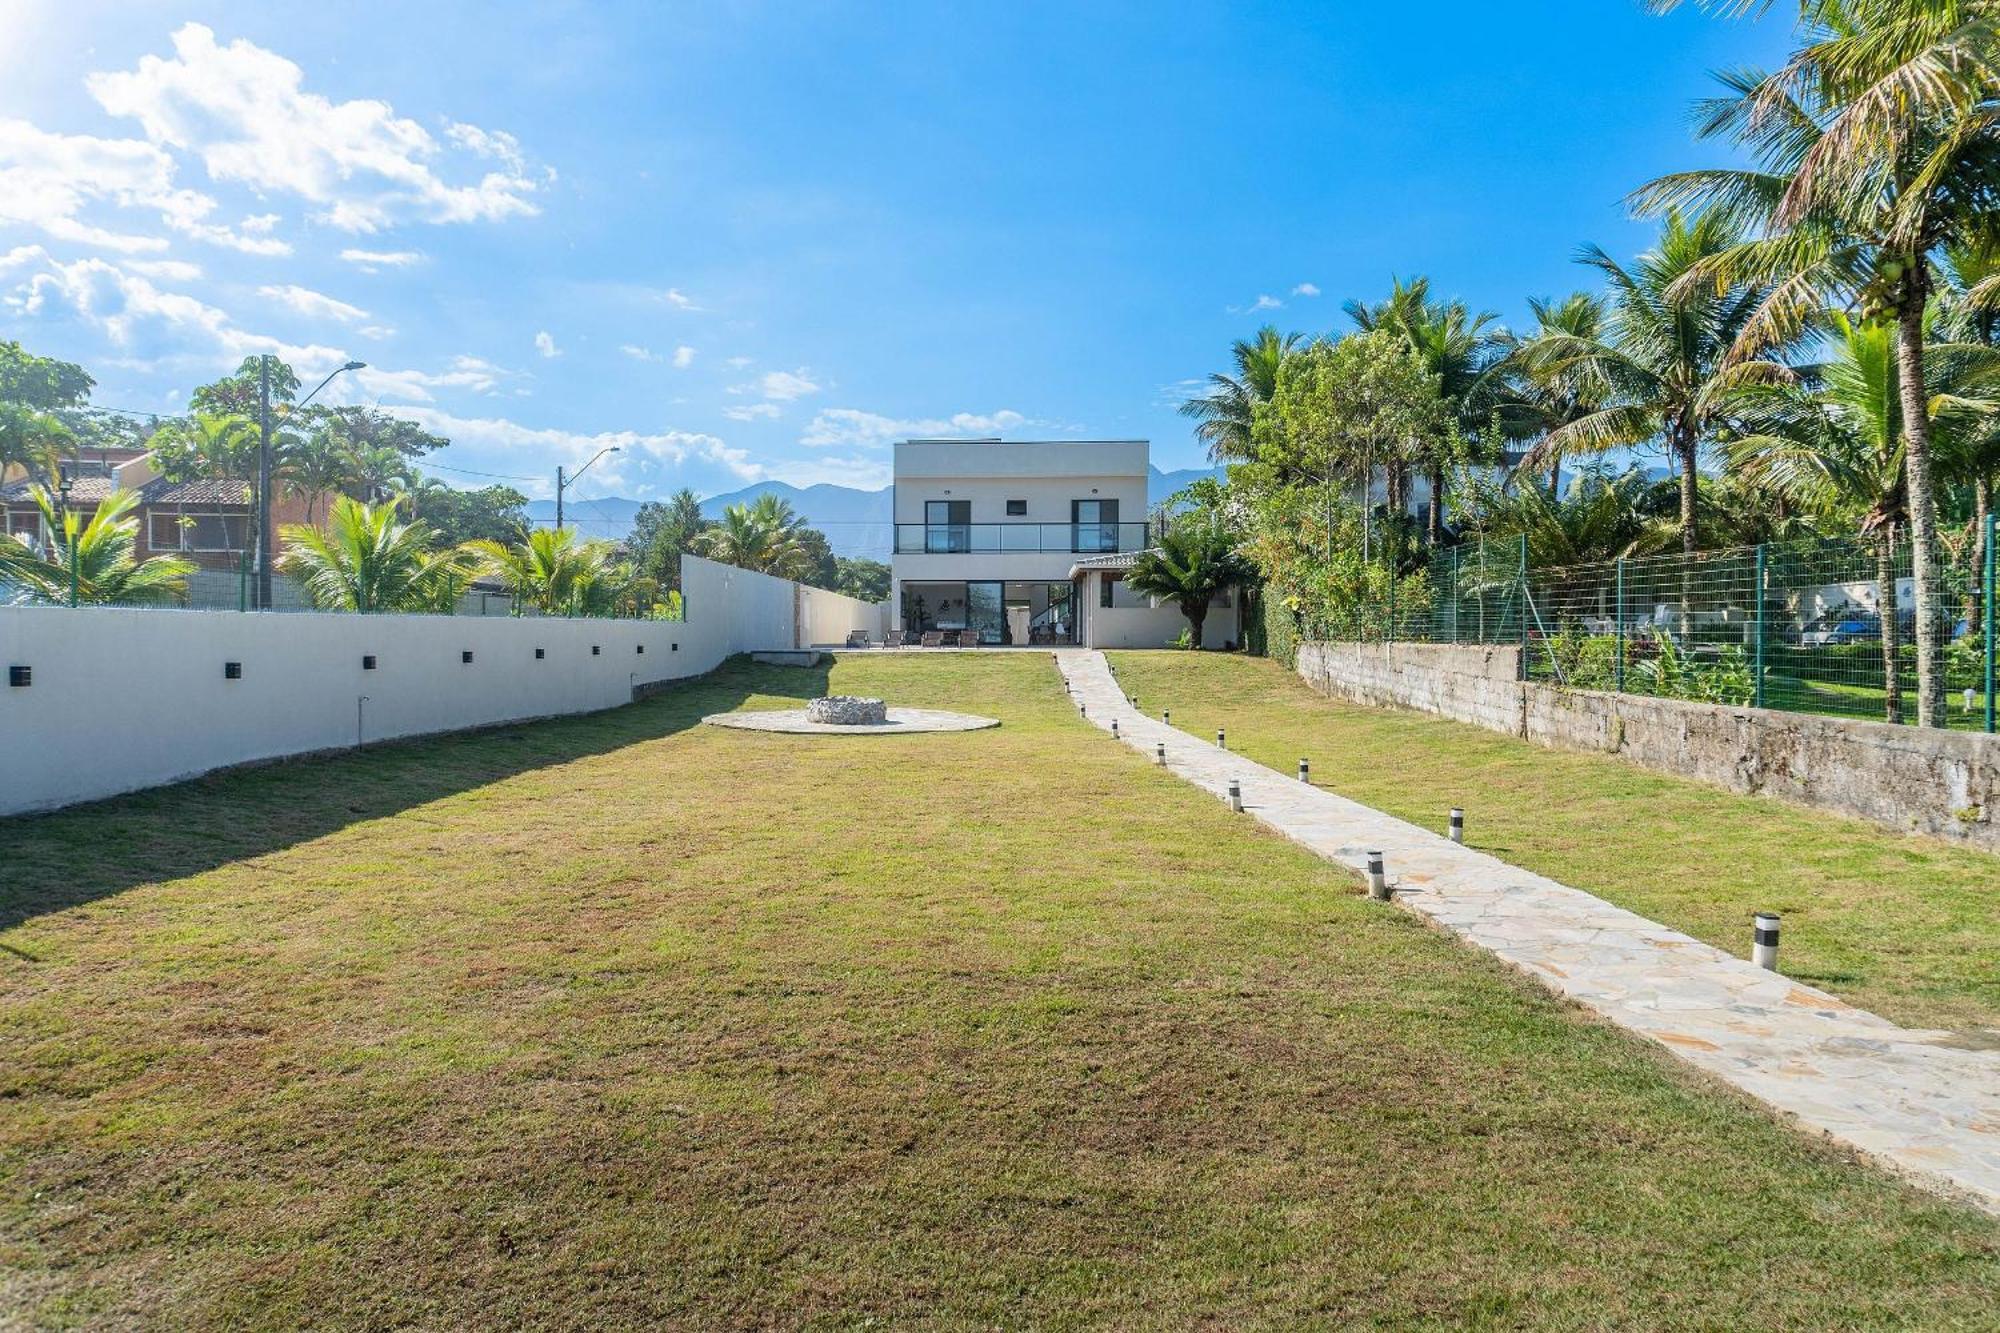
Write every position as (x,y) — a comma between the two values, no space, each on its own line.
(761,241)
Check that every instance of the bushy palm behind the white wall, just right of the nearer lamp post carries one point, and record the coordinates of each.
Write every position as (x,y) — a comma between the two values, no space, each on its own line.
(369,561)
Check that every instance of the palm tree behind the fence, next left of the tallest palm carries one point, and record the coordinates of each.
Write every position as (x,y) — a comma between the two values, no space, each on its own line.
(1663,357)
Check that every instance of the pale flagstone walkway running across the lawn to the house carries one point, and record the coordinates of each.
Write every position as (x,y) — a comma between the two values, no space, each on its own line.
(1899,1096)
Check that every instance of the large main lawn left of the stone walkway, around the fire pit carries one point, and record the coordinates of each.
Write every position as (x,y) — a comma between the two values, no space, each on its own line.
(623,1022)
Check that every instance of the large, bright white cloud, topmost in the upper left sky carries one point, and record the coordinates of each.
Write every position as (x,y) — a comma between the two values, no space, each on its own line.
(247,115)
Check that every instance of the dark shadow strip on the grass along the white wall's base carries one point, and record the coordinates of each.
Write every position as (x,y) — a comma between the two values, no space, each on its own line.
(91,852)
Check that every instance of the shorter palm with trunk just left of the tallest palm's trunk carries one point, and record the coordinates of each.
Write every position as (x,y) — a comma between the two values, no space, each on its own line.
(1835,443)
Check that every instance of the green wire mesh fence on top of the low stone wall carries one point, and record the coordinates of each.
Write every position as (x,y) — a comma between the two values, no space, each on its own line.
(1811,627)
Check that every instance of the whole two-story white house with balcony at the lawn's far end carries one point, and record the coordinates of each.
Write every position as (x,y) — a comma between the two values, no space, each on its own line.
(1027,543)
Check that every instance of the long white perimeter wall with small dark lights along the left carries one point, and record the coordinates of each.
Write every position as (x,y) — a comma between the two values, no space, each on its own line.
(127,700)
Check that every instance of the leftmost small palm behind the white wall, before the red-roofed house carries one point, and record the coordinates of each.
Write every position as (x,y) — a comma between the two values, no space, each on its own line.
(93,557)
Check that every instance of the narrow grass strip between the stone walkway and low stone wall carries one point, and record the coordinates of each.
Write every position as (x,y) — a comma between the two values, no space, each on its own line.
(1903,926)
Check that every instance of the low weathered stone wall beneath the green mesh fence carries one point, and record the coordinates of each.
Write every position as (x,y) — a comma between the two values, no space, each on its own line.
(1943,784)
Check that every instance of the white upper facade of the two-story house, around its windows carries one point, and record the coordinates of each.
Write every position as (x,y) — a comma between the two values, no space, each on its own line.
(1045,475)
